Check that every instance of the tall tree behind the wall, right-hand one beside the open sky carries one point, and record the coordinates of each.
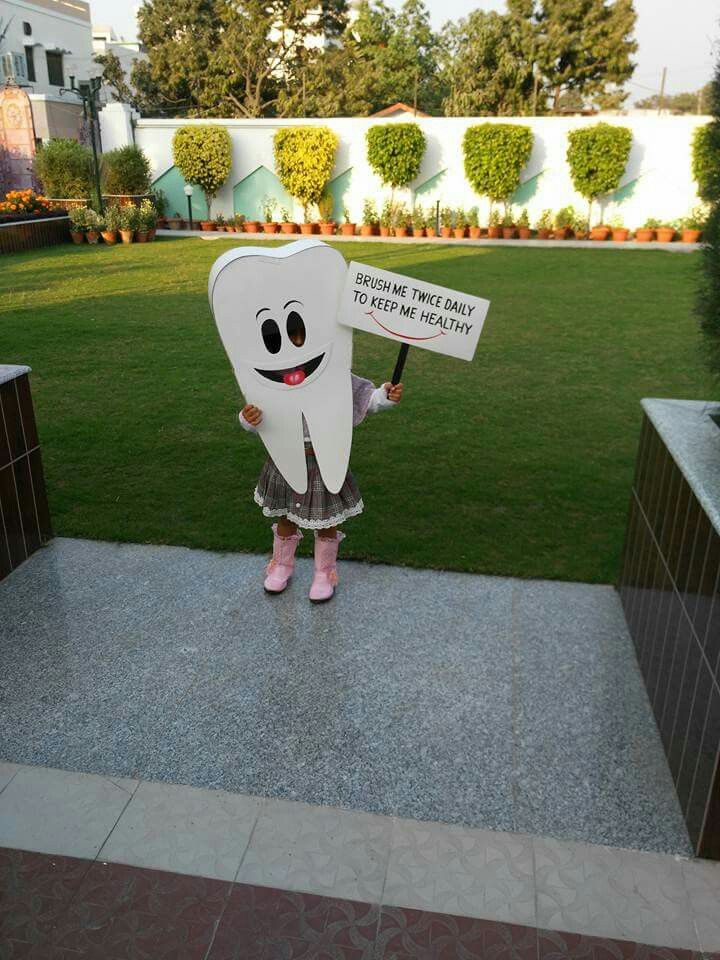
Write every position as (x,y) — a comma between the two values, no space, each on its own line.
(582,46)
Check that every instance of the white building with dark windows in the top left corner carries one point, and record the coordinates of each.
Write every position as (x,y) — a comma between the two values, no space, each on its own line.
(43,43)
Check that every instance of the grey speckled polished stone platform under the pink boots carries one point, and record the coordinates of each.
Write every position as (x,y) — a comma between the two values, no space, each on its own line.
(489,702)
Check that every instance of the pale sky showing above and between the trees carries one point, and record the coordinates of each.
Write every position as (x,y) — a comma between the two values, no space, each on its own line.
(678,34)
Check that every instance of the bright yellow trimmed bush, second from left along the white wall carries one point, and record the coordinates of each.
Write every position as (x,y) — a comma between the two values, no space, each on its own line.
(304,158)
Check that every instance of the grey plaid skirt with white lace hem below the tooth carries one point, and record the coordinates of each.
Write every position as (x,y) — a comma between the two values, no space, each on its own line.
(313,510)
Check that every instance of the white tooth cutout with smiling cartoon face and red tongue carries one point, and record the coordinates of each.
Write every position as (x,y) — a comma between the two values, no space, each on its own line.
(276,313)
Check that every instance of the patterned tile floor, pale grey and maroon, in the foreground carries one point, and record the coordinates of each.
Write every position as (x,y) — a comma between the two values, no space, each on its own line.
(121,870)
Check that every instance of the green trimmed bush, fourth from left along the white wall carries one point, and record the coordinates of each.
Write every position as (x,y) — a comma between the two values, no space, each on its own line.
(495,154)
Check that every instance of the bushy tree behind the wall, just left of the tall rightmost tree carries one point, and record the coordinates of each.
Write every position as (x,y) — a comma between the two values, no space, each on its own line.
(488,67)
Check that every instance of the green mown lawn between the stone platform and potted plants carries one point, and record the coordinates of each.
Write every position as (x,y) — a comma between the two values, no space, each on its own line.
(518,463)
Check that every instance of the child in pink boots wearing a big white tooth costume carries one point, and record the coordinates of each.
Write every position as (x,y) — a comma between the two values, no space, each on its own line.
(276,311)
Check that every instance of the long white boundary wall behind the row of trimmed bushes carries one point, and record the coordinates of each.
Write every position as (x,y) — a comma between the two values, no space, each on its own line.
(658,171)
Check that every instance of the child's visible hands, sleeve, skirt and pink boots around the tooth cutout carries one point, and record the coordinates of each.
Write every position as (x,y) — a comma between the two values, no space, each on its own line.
(317,509)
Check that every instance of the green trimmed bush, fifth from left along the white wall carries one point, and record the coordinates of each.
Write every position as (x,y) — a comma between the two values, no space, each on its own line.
(597,157)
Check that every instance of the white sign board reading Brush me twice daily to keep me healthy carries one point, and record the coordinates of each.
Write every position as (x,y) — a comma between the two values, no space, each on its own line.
(412,311)
